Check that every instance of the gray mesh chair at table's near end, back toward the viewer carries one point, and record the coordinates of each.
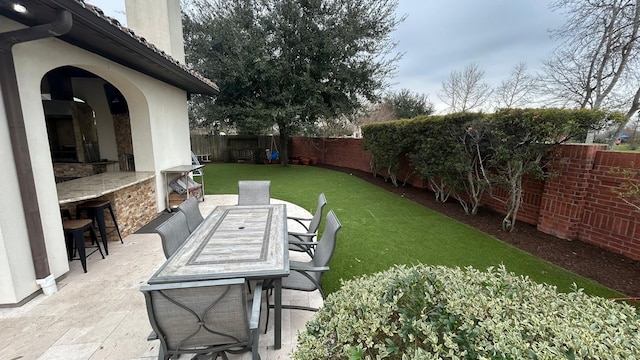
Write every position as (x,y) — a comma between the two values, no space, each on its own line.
(208,318)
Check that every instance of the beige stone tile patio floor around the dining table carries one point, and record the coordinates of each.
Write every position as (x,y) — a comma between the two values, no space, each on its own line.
(102,314)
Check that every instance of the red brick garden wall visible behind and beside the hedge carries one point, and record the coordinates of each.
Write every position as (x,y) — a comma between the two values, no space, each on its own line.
(577,204)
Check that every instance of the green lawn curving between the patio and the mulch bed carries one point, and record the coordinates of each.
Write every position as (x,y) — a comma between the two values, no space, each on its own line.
(381,229)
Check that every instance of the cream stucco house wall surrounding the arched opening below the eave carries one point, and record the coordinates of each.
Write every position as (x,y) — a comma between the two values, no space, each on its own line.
(160,134)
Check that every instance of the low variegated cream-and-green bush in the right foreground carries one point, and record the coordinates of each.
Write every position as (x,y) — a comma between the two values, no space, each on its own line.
(424,312)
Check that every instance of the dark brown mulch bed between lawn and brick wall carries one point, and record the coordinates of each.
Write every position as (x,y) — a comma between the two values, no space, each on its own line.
(612,270)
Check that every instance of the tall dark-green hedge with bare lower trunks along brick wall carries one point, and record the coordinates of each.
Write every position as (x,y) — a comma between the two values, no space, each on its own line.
(467,154)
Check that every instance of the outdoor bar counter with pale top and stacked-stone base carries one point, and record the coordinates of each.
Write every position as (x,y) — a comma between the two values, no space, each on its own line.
(132,196)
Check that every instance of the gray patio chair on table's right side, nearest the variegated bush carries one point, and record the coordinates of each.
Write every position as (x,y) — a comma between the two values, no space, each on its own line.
(307,276)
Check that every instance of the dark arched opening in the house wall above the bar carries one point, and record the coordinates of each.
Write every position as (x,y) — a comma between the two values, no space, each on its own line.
(88,124)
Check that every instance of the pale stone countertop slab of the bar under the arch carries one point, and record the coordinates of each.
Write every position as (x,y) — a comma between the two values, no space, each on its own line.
(91,187)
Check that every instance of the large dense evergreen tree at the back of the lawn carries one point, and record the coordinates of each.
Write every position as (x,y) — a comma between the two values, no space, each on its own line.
(289,63)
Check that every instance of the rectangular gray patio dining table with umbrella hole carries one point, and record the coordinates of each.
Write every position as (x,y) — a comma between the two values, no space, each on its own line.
(235,242)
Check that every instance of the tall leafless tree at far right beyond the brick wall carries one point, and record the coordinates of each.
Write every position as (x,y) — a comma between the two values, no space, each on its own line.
(596,64)
